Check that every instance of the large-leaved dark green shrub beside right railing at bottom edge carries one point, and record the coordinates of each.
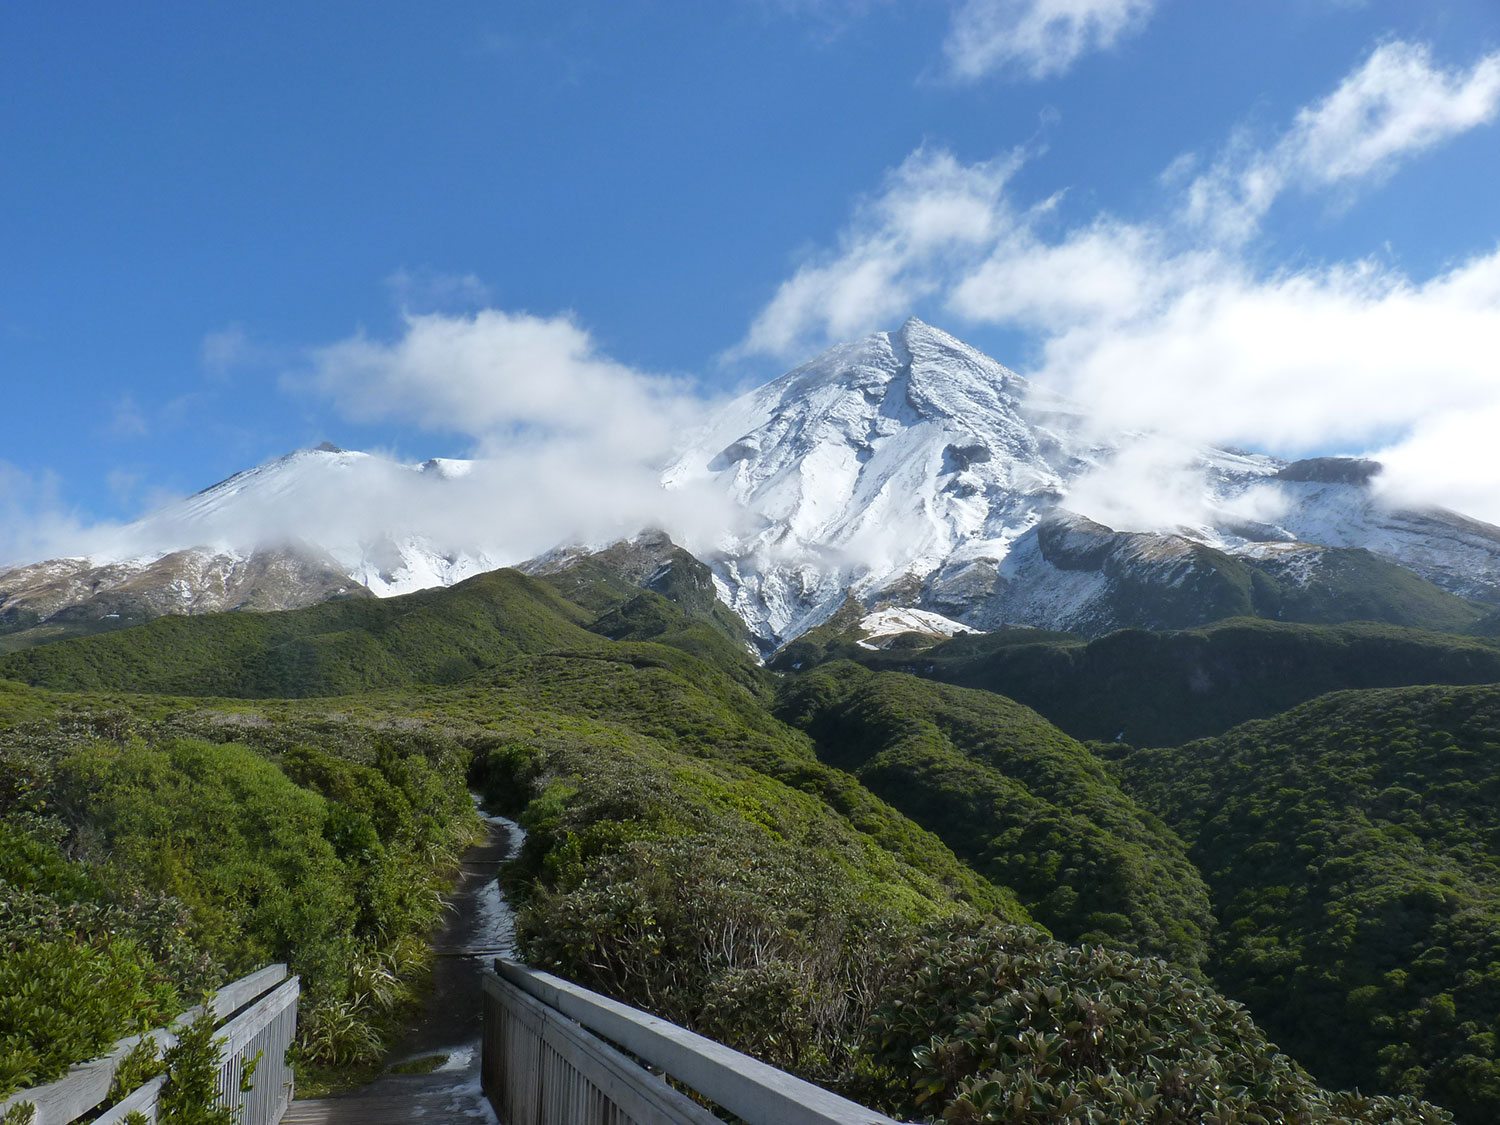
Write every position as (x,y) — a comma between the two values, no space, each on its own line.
(1003,1025)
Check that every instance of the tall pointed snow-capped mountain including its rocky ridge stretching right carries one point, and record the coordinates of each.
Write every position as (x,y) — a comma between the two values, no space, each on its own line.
(916,472)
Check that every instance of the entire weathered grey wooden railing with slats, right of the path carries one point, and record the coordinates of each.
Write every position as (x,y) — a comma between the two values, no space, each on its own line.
(547,1063)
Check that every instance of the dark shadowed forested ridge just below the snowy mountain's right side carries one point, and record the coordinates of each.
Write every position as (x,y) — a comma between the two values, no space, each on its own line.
(1163,689)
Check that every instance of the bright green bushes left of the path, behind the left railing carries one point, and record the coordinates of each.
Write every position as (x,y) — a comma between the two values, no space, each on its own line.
(143,863)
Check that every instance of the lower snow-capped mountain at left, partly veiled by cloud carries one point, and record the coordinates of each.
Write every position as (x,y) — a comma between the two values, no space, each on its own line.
(286,535)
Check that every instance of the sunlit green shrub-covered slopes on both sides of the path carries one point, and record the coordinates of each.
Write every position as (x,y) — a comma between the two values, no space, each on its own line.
(845,872)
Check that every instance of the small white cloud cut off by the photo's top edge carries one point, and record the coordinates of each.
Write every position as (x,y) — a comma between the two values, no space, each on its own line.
(1037,38)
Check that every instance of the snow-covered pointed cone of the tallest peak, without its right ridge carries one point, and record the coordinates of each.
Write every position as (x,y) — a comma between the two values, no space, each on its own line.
(883,460)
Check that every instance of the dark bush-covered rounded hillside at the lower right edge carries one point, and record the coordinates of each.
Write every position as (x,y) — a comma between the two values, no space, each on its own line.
(1354,853)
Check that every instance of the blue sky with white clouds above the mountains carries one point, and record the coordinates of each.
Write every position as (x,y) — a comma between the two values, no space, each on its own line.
(206,211)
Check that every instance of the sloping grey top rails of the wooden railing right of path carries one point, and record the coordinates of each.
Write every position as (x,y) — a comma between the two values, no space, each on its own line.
(754,1091)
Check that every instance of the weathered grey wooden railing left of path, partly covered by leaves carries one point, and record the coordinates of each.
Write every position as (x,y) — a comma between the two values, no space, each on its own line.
(256,1019)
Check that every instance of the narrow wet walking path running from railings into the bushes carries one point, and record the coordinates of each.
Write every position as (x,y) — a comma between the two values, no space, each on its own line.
(479,928)
